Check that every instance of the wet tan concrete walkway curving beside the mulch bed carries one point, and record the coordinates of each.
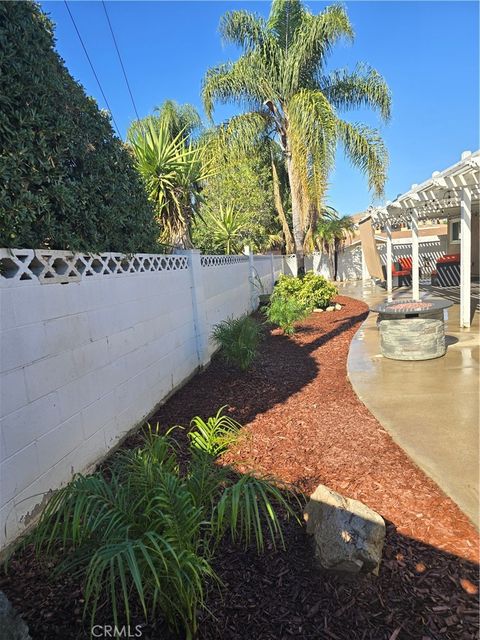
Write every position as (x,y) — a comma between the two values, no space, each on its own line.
(431,407)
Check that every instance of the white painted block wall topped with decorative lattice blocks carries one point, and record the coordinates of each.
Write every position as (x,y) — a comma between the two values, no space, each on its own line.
(89,347)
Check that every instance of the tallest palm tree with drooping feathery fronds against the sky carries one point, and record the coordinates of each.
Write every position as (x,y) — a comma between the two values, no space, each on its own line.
(281,80)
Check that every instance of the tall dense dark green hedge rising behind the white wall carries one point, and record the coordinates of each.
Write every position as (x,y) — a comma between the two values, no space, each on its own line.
(66,181)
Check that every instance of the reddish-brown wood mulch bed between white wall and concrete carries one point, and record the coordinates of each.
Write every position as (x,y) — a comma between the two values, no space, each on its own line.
(305,425)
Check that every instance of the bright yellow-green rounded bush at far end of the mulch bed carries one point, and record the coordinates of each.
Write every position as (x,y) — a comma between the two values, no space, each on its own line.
(311,290)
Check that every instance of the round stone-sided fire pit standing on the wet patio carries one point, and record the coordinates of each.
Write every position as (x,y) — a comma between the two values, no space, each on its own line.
(412,329)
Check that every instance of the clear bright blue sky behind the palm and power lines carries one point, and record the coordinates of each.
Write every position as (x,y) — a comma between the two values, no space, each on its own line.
(427,52)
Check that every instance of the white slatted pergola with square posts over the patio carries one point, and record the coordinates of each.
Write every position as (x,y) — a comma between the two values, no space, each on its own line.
(447,193)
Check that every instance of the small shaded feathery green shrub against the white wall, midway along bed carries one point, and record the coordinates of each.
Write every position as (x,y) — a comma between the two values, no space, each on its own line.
(238,339)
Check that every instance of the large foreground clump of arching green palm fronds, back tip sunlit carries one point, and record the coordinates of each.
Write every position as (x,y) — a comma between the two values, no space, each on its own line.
(147,533)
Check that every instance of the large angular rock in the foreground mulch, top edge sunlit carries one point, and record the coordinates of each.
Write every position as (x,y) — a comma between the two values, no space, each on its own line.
(349,536)
